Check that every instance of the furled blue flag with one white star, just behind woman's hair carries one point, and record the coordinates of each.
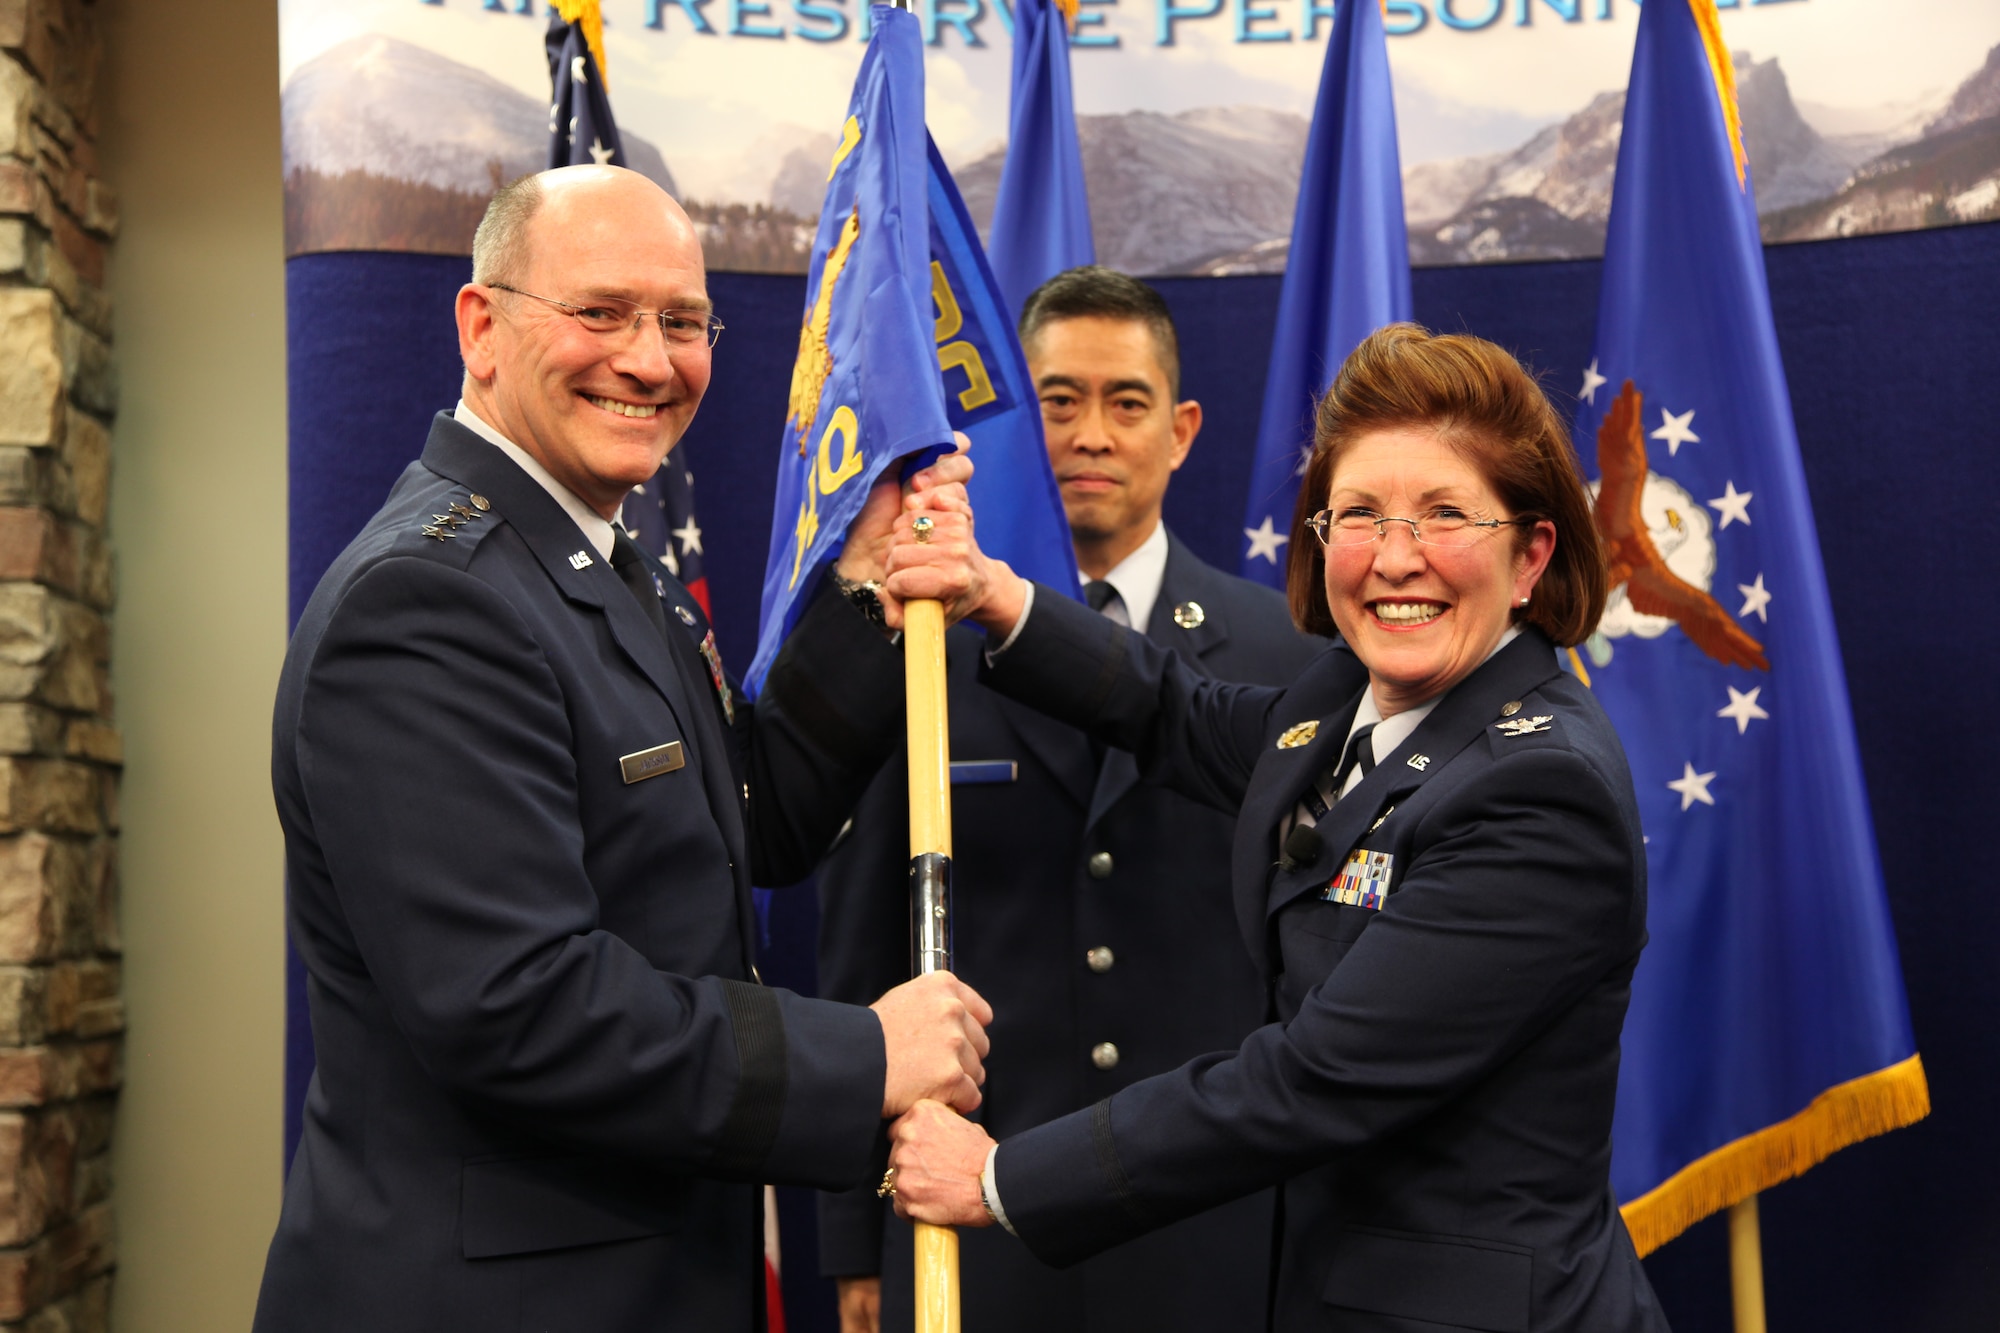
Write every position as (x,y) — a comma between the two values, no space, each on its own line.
(1347,275)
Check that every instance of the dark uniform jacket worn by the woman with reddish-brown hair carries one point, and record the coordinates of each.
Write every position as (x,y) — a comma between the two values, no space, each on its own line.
(1437,1092)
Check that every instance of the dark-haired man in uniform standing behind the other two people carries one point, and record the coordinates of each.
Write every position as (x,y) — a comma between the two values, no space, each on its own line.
(1091,910)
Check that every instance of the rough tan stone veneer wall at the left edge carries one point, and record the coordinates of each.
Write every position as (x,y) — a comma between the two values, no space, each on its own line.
(61,1010)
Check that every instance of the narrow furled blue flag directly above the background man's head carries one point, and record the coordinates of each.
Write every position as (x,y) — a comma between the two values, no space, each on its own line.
(1041,213)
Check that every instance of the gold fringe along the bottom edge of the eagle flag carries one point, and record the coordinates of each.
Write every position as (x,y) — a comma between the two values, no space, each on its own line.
(1837,1118)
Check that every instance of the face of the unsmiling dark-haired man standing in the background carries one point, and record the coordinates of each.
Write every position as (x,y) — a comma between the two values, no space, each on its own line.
(1115,433)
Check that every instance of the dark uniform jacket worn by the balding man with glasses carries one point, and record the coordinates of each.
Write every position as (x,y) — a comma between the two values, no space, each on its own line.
(549,1084)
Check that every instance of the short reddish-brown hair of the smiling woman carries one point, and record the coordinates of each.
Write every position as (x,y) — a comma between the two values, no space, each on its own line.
(1485,405)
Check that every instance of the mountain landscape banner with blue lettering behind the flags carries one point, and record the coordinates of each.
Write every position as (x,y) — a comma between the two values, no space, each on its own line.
(401,115)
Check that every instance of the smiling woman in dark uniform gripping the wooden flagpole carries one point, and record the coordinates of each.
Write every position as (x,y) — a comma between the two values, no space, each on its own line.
(1441,878)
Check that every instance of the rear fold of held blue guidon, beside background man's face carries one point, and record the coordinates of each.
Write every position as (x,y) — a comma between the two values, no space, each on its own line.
(989,395)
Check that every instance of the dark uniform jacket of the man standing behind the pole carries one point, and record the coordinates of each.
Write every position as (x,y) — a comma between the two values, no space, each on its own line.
(1059,854)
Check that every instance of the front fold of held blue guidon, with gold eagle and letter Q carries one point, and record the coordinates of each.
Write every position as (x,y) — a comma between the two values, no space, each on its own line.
(865,387)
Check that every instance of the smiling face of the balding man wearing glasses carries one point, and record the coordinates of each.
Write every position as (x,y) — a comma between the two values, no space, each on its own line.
(599,411)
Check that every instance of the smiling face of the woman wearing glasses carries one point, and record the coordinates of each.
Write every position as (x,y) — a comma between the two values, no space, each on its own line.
(1425,617)
